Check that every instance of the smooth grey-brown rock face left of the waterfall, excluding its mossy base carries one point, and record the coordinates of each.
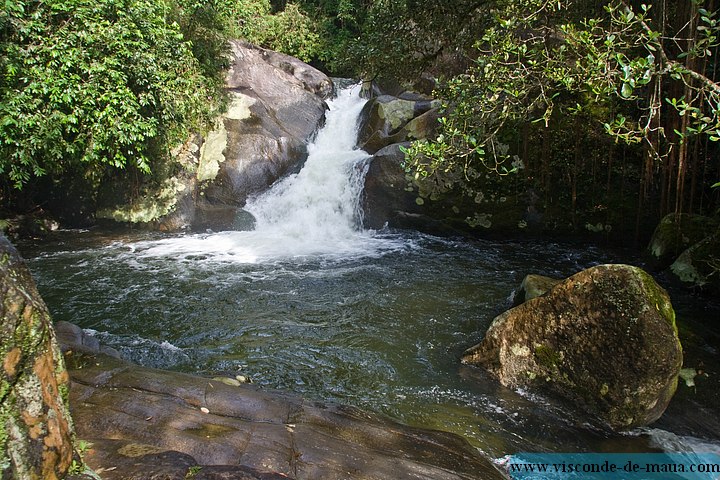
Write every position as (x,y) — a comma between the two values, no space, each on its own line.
(277,104)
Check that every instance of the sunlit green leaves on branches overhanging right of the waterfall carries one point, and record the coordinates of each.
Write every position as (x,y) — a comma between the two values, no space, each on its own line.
(534,58)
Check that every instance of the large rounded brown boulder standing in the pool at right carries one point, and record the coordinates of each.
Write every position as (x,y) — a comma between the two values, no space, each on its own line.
(604,339)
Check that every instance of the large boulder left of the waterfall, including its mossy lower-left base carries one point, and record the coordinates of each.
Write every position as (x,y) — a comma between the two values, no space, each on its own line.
(276,105)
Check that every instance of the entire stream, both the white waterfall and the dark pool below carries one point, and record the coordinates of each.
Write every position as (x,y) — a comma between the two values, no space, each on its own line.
(309,302)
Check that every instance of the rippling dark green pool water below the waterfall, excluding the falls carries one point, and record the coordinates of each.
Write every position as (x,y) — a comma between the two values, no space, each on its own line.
(382,331)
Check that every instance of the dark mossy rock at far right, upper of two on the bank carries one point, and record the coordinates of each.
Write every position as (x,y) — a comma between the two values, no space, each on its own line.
(677,232)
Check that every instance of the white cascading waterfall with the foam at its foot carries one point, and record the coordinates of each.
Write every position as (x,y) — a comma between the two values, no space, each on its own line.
(315,212)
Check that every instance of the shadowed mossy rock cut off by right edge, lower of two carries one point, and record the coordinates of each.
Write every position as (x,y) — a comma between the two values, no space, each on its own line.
(699,265)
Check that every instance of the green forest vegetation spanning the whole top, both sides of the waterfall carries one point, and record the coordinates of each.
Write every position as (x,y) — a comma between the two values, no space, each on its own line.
(607,110)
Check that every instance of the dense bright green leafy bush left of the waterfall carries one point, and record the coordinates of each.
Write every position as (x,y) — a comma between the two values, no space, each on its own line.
(91,84)
